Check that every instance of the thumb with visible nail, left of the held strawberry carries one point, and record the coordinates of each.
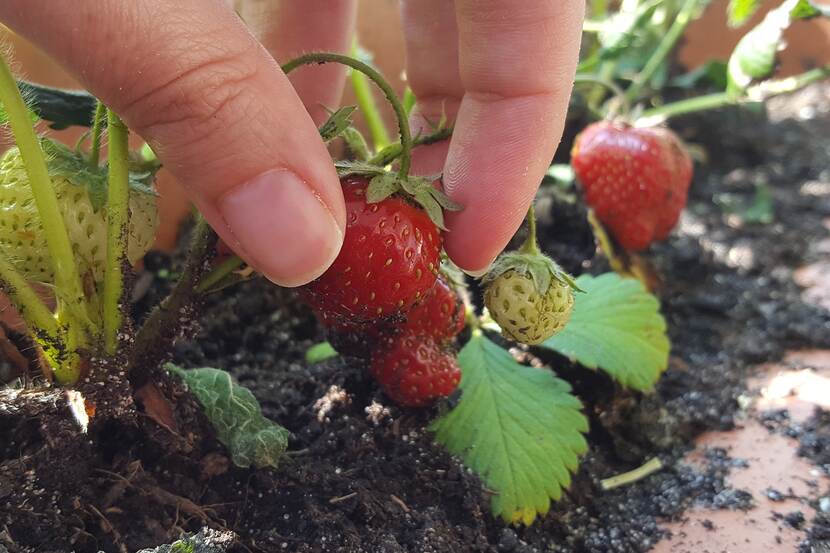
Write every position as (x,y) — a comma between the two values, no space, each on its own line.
(189,78)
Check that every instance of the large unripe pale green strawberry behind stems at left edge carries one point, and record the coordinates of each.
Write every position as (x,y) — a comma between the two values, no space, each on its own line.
(22,239)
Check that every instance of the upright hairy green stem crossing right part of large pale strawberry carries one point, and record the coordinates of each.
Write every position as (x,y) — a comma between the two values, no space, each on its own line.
(118,215)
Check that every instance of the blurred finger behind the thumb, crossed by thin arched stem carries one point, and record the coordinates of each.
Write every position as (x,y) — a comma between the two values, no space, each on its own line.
(288,28)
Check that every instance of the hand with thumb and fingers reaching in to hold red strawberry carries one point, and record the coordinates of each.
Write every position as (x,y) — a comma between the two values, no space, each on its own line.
(192,80)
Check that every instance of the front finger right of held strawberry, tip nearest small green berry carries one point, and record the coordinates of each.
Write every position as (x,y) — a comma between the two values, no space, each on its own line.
(517,67)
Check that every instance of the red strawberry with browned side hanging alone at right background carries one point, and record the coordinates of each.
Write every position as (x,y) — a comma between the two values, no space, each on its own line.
(636,180)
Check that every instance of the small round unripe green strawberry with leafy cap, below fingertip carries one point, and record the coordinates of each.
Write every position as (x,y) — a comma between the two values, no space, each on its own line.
(529,296)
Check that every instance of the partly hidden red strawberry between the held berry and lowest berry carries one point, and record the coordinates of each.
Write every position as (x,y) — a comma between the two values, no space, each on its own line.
(440,316)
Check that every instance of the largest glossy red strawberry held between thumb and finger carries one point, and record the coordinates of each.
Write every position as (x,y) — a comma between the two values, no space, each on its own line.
(389,260)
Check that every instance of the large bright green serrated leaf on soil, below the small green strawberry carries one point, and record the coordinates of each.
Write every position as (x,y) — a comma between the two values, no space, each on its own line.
(519,428)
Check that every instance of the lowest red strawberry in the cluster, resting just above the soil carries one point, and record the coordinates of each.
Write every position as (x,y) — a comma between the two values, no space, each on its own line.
(414,371)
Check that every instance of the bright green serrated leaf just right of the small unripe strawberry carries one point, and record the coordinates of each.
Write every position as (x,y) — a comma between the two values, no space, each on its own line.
(616,326)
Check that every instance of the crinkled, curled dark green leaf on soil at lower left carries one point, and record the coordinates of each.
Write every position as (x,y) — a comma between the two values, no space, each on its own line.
(251,439)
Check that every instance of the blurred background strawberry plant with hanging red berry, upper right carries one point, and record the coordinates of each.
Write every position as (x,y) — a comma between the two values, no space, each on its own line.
(635,174)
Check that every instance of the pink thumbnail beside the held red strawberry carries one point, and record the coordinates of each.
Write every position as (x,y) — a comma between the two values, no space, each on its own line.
(283,228)
